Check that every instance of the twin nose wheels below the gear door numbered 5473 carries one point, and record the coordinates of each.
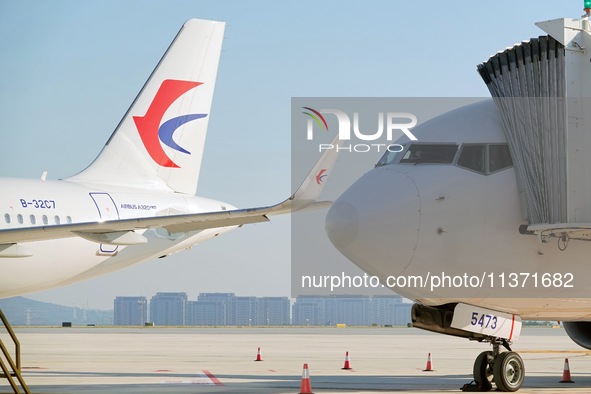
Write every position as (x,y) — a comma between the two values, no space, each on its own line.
(505,370)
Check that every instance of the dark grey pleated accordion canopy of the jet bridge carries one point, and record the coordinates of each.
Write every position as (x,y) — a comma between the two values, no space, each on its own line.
(528,84)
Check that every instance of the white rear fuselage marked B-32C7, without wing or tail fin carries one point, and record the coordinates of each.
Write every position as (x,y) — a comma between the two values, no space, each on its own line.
(27,203)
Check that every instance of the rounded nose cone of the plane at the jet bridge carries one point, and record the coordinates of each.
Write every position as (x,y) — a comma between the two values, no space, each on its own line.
(376,222)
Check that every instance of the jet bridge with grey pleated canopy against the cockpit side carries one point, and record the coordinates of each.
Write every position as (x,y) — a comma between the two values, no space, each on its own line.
(542,89)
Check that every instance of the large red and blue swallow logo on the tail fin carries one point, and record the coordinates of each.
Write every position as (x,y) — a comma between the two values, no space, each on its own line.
(154,132)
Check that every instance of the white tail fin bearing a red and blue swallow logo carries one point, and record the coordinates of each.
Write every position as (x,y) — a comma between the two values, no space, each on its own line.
(159,142)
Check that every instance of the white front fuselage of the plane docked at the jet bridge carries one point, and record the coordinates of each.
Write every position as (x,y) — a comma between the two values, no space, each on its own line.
(453,233)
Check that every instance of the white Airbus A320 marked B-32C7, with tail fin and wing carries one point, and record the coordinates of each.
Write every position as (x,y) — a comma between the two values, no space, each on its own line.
(137,200)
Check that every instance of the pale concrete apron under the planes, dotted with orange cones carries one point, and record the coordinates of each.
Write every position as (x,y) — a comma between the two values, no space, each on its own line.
(221,360)
